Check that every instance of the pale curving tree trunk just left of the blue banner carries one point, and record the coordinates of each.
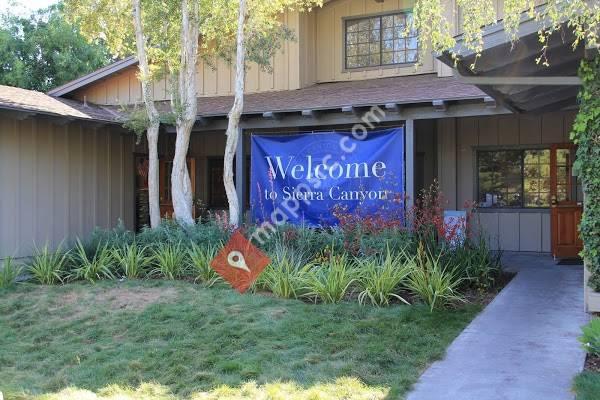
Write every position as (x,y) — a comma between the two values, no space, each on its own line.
(235,114)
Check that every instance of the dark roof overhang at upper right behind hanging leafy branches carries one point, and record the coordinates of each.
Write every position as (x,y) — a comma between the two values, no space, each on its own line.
(513,74)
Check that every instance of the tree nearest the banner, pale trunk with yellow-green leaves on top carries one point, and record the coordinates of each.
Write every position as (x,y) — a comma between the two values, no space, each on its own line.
(255,33)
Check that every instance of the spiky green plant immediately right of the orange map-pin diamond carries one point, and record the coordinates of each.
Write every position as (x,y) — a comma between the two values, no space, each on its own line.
(285,276)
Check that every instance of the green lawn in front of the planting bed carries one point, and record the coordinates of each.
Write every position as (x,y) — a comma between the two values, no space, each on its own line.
(174,340)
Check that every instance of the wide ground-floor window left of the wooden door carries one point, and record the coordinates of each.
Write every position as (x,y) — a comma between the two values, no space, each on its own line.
(513,178)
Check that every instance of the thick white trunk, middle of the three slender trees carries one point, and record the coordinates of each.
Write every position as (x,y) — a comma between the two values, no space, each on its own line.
(181,186)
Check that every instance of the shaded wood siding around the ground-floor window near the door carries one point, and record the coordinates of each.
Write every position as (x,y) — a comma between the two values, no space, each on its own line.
(458,138)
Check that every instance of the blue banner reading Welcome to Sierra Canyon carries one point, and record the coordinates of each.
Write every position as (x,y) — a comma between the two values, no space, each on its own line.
(309,178)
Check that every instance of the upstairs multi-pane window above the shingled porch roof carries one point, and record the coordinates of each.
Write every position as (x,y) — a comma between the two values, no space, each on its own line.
(379,40)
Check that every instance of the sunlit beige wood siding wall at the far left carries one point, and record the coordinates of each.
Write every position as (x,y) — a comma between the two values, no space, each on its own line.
(60,181)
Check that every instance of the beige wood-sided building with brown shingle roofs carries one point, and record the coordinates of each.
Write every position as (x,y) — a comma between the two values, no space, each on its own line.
(500,138)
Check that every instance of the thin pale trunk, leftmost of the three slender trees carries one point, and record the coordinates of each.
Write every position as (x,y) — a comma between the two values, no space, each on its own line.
(153,117)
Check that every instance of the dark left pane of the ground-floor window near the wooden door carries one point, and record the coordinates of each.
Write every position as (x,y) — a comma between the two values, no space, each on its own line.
(500,183)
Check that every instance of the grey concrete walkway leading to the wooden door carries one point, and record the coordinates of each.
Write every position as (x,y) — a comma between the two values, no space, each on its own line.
(523,346)
